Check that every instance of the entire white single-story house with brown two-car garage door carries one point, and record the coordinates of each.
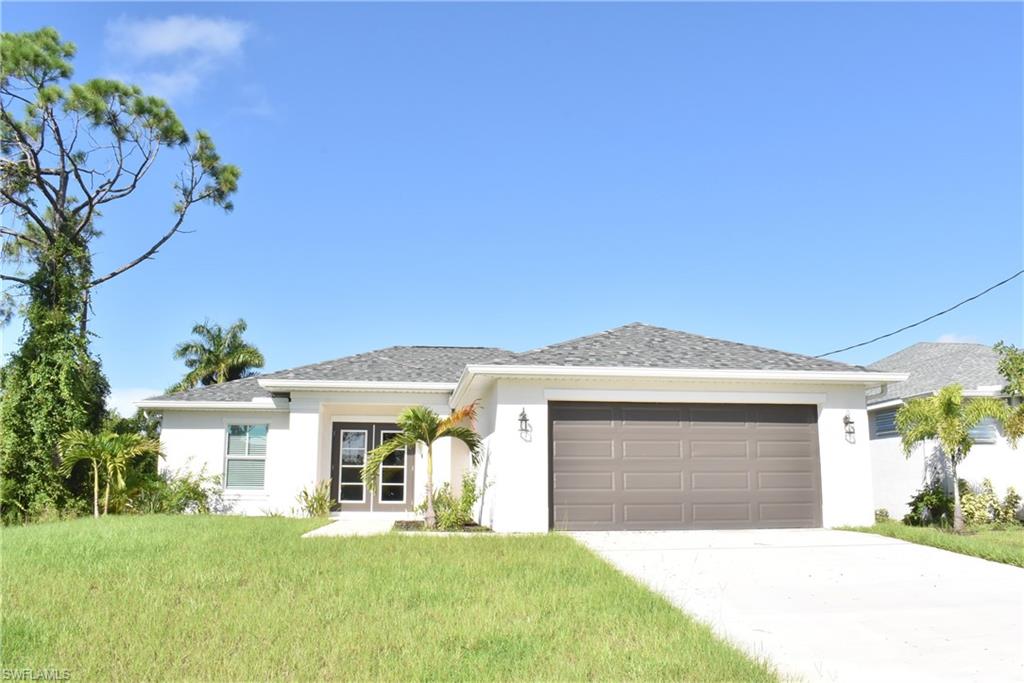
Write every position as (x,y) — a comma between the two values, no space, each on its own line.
(637,428)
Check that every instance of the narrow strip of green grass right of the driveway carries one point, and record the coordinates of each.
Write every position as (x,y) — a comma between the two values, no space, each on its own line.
(1003,545)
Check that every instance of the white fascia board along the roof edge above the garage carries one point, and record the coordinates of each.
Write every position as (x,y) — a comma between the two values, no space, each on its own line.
(867,379)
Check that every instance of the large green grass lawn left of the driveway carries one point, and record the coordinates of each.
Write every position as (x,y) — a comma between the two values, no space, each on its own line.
(231,599)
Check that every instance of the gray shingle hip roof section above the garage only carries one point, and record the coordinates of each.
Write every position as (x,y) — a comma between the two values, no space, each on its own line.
(639,346)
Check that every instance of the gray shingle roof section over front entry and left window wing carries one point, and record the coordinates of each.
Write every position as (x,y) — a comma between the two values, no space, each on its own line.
(397,364)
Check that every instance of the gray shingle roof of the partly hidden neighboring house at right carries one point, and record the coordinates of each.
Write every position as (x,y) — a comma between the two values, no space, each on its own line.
(934,365)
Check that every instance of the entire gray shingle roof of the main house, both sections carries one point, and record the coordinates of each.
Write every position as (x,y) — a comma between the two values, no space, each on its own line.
(634,346)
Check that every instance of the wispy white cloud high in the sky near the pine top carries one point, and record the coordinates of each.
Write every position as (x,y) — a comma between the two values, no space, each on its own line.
(175,56)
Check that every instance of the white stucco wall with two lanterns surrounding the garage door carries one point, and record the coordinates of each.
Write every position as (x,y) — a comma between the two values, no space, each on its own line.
(517,466)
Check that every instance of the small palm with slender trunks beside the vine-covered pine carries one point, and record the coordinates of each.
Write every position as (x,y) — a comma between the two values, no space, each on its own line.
(107,451)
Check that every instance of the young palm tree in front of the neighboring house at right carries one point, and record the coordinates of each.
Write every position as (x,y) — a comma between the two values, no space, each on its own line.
(949,418)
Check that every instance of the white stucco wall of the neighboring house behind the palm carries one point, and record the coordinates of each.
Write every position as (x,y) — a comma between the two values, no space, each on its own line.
(898,479)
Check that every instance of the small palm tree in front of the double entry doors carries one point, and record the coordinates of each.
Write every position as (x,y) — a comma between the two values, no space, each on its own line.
(421,425)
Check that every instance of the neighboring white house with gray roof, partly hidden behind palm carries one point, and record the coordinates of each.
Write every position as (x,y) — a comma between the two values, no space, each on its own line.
(930,367)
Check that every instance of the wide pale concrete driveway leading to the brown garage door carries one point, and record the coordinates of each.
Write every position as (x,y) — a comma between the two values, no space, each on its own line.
(826,606)
